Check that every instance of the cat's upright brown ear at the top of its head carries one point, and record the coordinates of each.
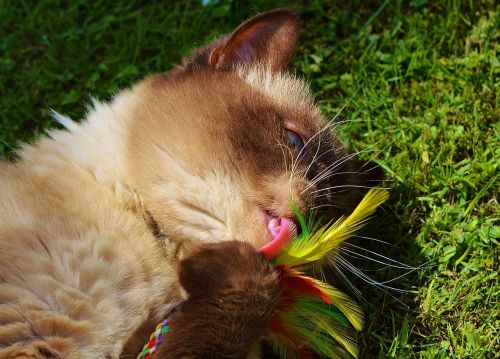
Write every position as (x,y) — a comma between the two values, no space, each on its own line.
(268,38)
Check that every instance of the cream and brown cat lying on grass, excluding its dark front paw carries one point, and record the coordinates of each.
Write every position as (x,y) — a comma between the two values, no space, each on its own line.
(94,219)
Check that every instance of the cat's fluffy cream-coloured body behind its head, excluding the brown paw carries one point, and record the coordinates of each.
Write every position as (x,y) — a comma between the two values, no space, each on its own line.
(80,269)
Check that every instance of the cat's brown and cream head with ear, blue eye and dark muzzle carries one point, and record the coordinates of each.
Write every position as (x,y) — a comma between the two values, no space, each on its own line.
(224,144)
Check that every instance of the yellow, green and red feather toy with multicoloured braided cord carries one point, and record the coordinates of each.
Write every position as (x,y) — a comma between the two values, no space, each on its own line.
(312,317)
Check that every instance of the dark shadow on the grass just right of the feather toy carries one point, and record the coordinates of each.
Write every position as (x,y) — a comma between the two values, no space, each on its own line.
(392,263)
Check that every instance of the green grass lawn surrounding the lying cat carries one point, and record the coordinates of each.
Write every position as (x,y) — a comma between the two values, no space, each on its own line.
(420,81)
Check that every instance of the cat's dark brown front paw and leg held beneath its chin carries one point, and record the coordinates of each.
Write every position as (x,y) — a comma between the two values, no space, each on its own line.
(232,293)
